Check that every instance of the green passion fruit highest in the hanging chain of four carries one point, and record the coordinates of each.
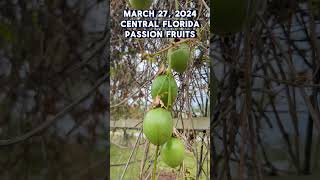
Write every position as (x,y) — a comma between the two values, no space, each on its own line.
(179,57)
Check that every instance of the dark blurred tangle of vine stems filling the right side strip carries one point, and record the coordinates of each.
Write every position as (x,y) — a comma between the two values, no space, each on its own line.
(266,121)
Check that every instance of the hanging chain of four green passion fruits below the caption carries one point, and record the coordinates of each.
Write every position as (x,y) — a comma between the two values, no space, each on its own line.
(158,122)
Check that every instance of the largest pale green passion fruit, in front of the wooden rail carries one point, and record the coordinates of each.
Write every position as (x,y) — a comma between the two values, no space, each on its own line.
(157,126)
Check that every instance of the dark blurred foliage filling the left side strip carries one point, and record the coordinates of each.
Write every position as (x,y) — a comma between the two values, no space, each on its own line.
(53,89)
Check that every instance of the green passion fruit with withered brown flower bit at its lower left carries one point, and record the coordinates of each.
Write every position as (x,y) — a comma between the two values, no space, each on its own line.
(160,86)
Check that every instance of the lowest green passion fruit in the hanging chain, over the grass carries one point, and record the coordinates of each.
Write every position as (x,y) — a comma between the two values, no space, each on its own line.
(172,152)
